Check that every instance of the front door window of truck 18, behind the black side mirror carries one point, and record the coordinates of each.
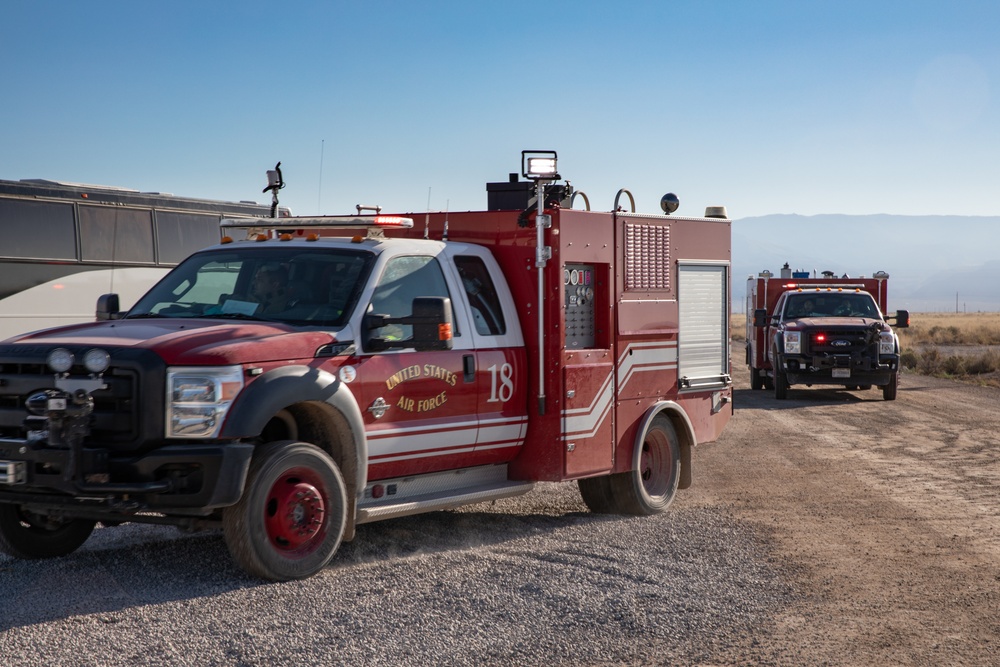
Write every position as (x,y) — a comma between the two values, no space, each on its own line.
(404,279)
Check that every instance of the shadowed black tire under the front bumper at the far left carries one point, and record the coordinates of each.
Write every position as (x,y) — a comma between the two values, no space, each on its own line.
(31,535)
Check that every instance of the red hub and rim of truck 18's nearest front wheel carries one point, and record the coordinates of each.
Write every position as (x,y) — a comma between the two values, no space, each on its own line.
(295,512)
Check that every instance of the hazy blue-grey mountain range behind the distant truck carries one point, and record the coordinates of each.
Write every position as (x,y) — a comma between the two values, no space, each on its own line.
(936,263)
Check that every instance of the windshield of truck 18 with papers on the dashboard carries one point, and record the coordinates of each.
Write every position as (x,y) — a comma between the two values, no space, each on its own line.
(307,287)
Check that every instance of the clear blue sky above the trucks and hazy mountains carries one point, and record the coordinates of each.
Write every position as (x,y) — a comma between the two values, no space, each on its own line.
(765,106)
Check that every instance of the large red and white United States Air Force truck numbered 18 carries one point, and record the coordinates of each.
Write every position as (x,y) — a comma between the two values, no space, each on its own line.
(332,371)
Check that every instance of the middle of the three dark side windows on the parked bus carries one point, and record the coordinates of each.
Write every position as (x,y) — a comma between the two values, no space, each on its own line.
(116,234)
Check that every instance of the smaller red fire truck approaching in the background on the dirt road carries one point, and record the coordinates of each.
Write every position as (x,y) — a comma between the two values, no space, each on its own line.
(808,329)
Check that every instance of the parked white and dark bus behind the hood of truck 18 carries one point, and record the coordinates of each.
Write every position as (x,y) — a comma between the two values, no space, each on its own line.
(63,244)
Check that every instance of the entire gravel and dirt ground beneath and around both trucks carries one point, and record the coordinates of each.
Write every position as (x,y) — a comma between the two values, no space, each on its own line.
(832,528)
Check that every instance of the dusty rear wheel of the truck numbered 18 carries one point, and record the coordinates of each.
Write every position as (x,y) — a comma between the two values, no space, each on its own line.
(652,484)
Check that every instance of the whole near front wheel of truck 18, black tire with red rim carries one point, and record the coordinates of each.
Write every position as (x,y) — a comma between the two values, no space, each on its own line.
(291,518)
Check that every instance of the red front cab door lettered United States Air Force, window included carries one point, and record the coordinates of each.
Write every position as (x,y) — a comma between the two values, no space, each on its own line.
(419,407)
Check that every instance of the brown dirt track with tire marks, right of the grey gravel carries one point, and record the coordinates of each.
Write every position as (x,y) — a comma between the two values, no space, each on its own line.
(884,513)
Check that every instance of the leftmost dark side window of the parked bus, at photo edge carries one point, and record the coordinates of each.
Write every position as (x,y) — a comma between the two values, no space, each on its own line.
(40,230)
